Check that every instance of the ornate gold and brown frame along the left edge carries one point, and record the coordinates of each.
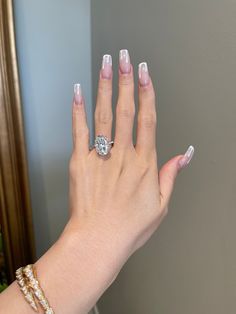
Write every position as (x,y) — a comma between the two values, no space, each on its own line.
(15,205)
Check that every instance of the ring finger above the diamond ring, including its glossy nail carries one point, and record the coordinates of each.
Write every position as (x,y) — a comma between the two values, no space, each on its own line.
(103,111)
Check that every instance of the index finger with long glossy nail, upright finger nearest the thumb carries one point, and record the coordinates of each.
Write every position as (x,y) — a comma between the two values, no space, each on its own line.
(146,127)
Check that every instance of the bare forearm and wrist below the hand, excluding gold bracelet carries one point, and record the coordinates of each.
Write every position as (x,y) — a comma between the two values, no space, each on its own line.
(73,273)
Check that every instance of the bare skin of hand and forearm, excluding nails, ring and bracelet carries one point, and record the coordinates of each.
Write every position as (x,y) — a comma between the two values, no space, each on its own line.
(116,203)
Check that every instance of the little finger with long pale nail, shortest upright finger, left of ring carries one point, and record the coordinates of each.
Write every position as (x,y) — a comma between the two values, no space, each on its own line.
(80,130)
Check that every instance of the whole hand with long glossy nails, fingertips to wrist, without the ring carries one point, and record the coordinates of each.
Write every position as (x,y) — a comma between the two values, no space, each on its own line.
(123,194)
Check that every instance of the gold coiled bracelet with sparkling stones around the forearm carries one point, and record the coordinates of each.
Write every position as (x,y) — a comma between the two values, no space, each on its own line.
(30,284)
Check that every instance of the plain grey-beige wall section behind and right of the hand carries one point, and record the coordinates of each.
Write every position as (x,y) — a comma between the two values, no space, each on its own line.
(189,266)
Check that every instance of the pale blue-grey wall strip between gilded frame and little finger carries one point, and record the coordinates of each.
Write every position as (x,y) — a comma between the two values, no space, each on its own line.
(53,46)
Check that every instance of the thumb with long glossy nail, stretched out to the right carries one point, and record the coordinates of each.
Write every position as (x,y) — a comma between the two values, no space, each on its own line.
(169,171)
